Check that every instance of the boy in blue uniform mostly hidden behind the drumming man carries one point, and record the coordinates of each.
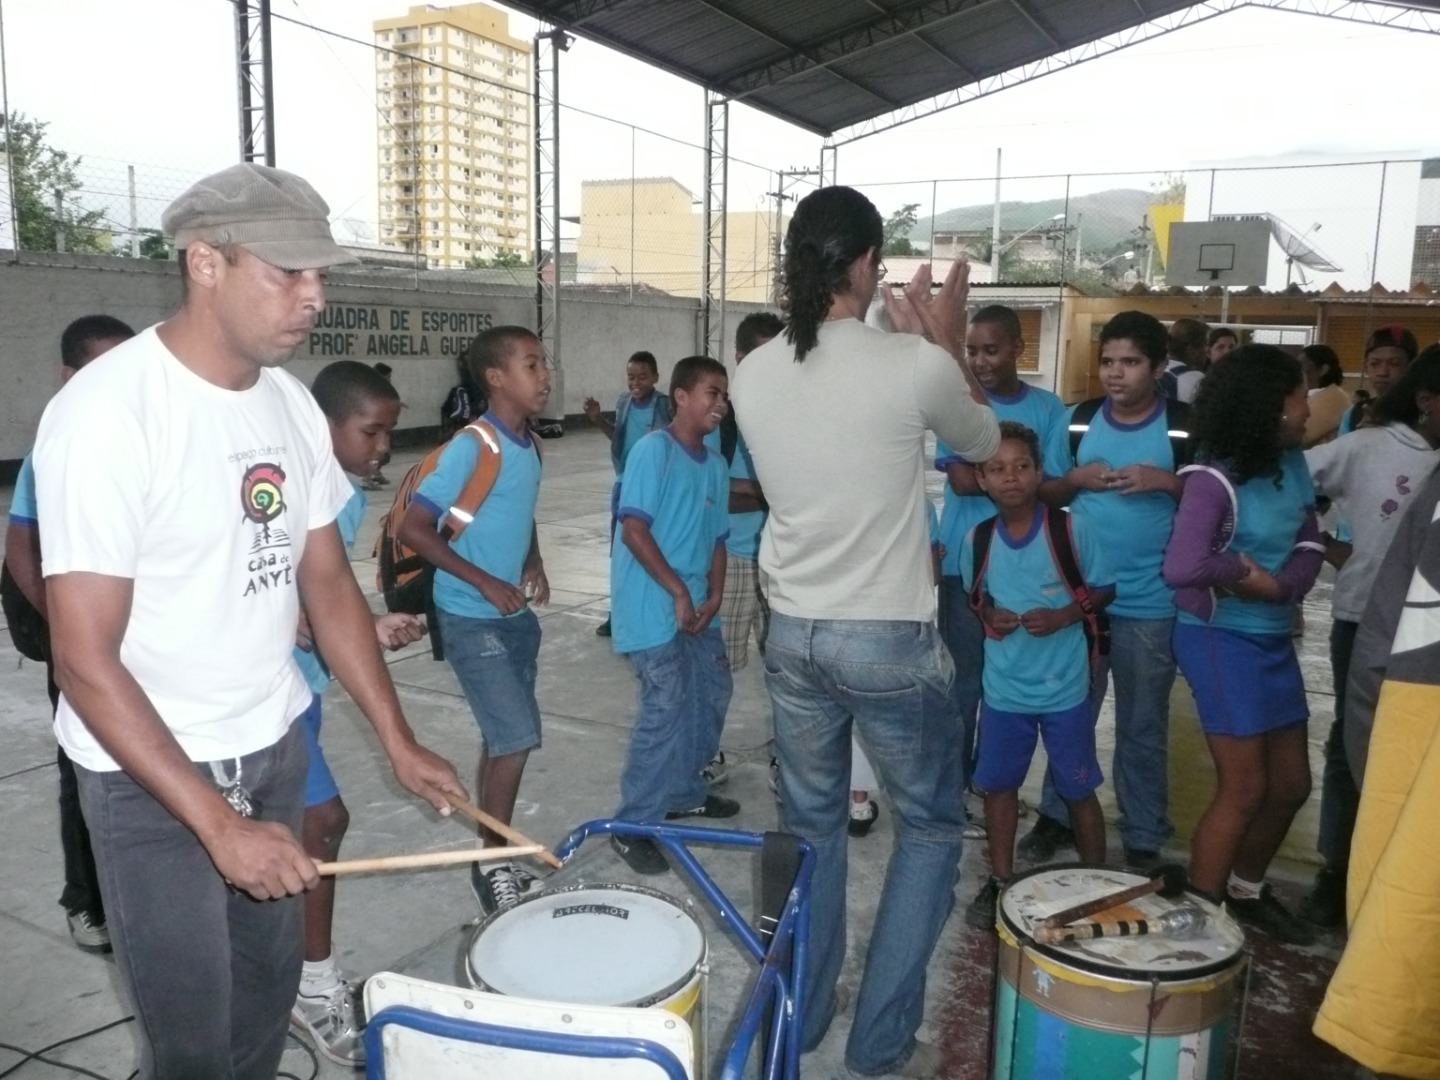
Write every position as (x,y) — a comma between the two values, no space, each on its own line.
(364,410)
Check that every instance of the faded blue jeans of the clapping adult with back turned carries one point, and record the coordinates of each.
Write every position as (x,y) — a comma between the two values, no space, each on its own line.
(892,680)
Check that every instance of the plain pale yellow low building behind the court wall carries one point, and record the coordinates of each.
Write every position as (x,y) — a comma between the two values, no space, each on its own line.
(647,231)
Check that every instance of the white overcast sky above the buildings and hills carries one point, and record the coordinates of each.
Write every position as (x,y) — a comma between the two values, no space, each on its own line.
(152,83)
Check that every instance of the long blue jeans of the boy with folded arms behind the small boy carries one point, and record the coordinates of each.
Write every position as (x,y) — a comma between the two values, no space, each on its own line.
(1144,667)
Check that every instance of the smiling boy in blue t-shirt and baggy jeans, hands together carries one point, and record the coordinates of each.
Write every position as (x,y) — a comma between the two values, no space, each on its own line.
(667,580)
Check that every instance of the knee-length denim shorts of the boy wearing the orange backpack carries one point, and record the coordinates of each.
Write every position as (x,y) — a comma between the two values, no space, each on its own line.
(495,662)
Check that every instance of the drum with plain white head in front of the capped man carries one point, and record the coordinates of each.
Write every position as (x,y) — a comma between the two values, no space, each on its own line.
(597,945)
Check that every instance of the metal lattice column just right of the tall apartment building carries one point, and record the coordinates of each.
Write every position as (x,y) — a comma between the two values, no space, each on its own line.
(546,58)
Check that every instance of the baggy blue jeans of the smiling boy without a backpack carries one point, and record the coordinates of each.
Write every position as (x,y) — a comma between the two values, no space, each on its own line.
(685,692)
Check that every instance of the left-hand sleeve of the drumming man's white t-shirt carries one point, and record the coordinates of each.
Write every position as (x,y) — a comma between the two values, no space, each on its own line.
(93,483)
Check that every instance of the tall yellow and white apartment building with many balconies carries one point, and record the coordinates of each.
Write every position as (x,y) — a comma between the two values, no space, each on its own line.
(454,153)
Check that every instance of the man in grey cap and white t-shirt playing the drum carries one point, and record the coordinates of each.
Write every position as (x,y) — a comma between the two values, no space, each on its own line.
(188,495)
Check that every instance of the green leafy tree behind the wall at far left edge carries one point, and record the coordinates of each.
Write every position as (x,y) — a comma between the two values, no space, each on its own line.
(38,174)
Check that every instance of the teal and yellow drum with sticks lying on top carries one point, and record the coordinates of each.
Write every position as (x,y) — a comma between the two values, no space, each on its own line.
(1112,1009)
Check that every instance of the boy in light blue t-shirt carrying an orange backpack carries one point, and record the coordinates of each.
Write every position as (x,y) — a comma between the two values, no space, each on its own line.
(487,578)
